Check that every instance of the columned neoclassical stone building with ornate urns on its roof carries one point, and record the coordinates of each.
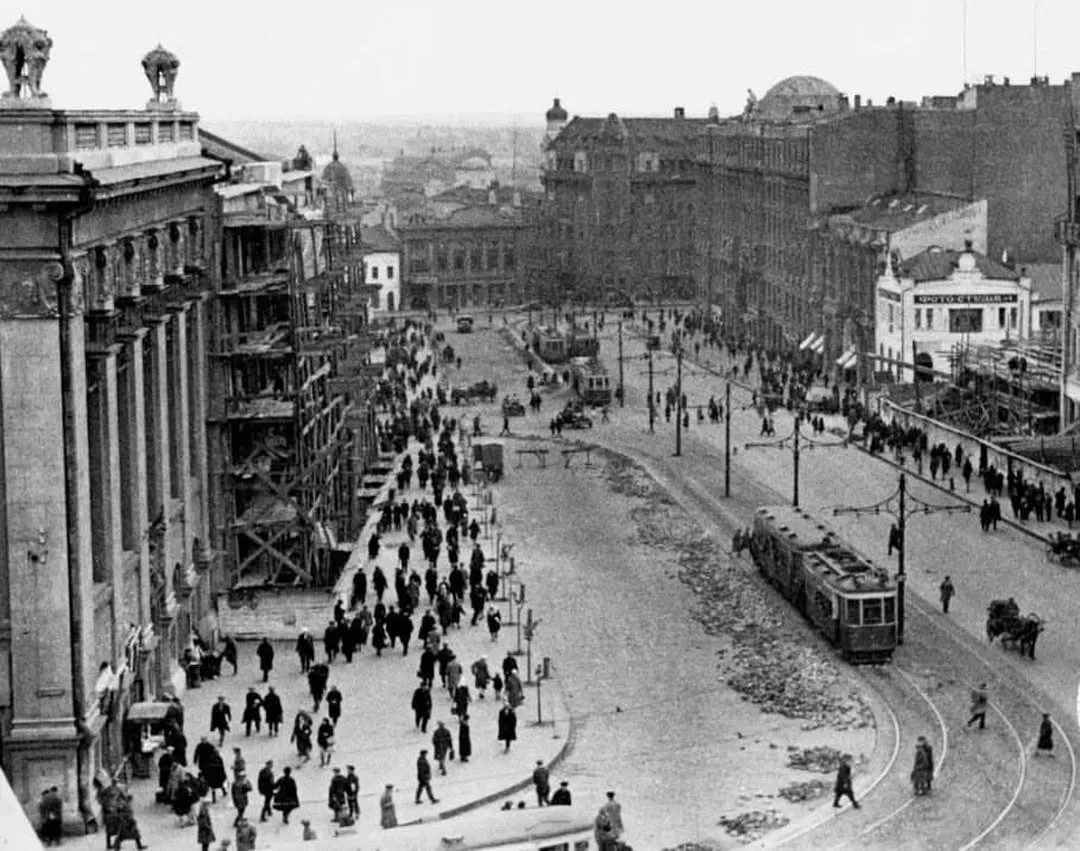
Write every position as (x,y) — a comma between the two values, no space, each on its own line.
(104,288)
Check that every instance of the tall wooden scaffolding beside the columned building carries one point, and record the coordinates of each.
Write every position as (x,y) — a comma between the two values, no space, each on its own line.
(291,426)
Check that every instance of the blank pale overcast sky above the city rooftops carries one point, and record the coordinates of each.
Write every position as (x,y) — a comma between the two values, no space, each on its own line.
(337,61)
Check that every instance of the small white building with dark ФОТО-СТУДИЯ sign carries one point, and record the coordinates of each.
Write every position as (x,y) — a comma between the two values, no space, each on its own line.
(938,302)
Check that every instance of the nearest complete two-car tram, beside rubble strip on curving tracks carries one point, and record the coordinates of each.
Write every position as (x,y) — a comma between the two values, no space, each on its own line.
(849,600)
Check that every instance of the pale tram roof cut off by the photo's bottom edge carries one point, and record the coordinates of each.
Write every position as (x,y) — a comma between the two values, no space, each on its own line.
(535,829)
